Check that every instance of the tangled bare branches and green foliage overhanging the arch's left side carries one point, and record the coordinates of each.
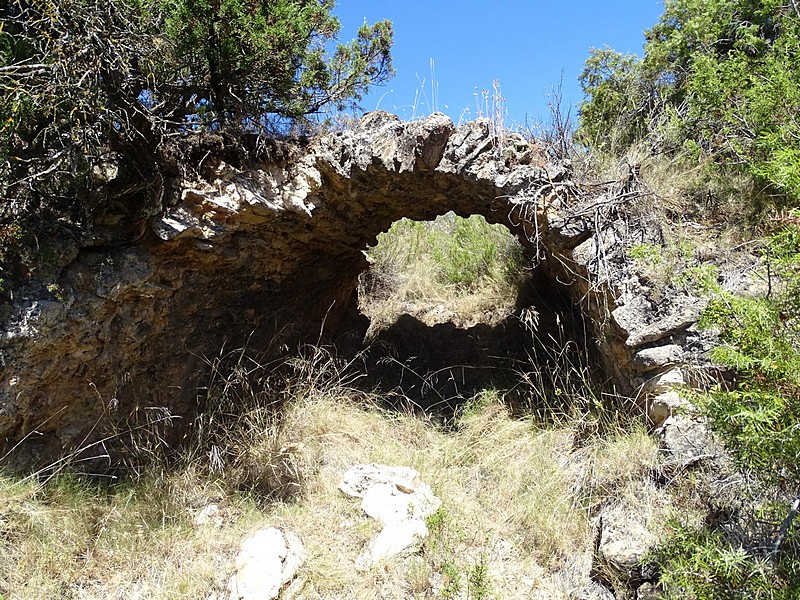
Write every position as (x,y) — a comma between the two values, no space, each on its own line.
(88,85)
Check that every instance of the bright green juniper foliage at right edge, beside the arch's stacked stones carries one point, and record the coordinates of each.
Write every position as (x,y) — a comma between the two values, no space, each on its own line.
(760,340)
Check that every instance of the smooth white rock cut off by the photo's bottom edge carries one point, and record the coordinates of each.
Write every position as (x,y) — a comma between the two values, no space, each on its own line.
(267,561)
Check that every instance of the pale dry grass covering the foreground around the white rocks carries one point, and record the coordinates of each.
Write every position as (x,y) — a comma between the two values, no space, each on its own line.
(516,516)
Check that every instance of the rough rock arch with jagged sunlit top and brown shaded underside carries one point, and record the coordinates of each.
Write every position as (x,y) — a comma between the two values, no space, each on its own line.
(267,255)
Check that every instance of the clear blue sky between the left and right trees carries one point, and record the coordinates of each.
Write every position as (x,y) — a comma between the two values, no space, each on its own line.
(523,45)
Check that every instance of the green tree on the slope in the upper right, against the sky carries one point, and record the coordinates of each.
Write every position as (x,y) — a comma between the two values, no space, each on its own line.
(723,75)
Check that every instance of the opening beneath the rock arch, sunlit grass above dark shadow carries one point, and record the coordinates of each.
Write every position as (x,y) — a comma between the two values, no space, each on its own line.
(456,306)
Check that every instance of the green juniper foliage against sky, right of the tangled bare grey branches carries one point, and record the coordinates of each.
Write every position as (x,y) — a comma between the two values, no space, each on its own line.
(245,59)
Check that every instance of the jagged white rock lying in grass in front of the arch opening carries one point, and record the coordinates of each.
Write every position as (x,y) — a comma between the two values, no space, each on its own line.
(395,497)
